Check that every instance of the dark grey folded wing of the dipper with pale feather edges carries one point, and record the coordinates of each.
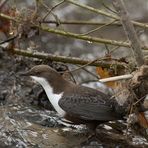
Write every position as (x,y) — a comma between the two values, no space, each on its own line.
(89,106)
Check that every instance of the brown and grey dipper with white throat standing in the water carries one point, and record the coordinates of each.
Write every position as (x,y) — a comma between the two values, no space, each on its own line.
(77,104)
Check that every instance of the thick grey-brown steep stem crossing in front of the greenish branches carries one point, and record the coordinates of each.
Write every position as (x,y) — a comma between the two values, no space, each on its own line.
(130,31)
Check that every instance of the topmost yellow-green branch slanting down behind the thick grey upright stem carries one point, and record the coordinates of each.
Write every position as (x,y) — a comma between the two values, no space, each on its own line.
(104,13)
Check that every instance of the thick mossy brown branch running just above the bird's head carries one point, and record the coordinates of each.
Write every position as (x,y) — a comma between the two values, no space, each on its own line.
(64,59)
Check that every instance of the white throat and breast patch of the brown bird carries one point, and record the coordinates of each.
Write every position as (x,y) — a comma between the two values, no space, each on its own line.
(53,98)
